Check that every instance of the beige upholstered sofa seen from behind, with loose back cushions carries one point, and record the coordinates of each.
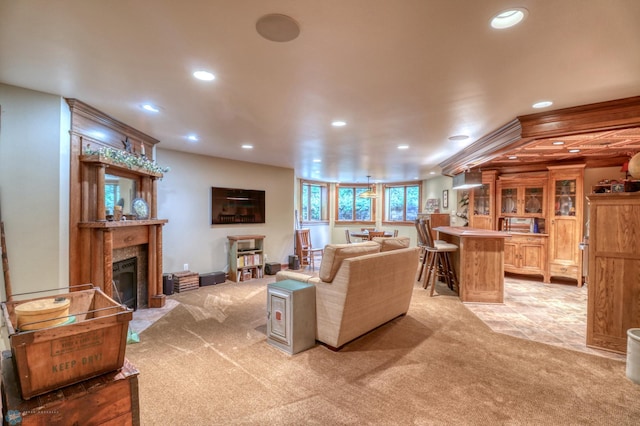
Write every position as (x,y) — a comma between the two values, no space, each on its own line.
(360,287)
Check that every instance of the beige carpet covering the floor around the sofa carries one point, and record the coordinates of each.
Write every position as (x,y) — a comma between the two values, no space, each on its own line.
(207,362)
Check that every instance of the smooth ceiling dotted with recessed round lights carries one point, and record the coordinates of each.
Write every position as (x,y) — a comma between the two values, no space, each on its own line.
(398,71)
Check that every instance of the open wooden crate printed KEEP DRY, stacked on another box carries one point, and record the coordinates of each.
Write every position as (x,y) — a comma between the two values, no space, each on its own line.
(54,357)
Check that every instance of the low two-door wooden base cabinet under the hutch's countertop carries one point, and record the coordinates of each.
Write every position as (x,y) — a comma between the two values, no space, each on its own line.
(526,254)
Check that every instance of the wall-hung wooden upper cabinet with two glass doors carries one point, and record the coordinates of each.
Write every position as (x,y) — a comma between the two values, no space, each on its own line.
(522,195)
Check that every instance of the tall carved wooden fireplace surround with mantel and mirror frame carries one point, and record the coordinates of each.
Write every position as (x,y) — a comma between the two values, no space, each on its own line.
(95,242)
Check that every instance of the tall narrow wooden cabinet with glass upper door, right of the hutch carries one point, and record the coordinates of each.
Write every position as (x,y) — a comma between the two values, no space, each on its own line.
(565,221)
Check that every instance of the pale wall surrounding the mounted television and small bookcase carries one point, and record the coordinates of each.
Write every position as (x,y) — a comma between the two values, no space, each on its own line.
(184,198)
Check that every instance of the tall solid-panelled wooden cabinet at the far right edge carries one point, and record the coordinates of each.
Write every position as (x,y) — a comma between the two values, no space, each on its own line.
(614,269)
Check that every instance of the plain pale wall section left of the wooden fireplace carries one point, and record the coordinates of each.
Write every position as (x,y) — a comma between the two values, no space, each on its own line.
(34,188)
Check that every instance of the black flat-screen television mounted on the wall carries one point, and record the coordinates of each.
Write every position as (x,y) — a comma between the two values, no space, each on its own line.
(233,206)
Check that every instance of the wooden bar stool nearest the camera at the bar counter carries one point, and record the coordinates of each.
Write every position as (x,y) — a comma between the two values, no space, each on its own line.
(438,260)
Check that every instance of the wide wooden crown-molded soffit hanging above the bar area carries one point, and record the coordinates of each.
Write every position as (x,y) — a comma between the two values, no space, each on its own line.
(605,133)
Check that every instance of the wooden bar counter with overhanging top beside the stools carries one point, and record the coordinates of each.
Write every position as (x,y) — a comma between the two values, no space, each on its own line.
(479,262)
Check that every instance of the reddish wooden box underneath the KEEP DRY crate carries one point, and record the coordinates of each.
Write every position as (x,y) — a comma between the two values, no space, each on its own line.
(111,398)
